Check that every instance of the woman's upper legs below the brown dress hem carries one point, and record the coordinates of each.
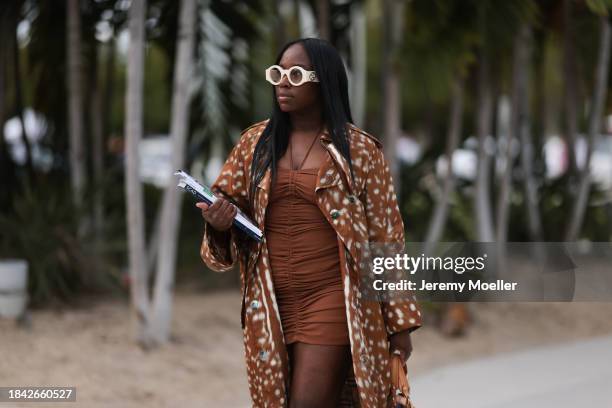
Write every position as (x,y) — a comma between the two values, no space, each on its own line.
(318,373)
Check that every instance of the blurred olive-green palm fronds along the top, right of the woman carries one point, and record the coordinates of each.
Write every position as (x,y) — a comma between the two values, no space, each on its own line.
(443,39)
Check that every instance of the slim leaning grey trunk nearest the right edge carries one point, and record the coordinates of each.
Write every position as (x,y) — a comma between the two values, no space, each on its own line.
(599,97)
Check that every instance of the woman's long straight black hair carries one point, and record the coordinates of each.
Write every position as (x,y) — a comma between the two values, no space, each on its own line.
(336,111)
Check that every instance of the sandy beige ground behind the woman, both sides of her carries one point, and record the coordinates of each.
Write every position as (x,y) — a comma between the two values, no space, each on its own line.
(92,349)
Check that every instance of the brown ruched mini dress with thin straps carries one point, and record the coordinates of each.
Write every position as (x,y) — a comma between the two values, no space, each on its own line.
(304,260)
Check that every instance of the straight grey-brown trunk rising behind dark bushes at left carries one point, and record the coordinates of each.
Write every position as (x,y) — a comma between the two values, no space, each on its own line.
(75,105)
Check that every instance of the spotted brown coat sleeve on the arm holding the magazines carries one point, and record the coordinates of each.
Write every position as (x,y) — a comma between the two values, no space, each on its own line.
(219,250)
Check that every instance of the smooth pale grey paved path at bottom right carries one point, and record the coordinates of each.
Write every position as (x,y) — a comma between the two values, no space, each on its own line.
(572,375)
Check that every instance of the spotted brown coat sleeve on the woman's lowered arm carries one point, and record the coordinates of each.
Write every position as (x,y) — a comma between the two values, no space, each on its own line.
(385,226)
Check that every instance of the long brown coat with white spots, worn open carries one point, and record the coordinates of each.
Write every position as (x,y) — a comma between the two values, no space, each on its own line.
(364,212)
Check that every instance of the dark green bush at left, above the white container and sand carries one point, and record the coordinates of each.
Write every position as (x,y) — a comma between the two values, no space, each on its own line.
(41,228)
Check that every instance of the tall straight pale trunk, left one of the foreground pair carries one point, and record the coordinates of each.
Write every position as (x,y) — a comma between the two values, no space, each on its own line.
(133,187)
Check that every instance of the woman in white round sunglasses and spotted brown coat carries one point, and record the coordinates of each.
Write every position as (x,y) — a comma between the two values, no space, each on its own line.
(310,338)
